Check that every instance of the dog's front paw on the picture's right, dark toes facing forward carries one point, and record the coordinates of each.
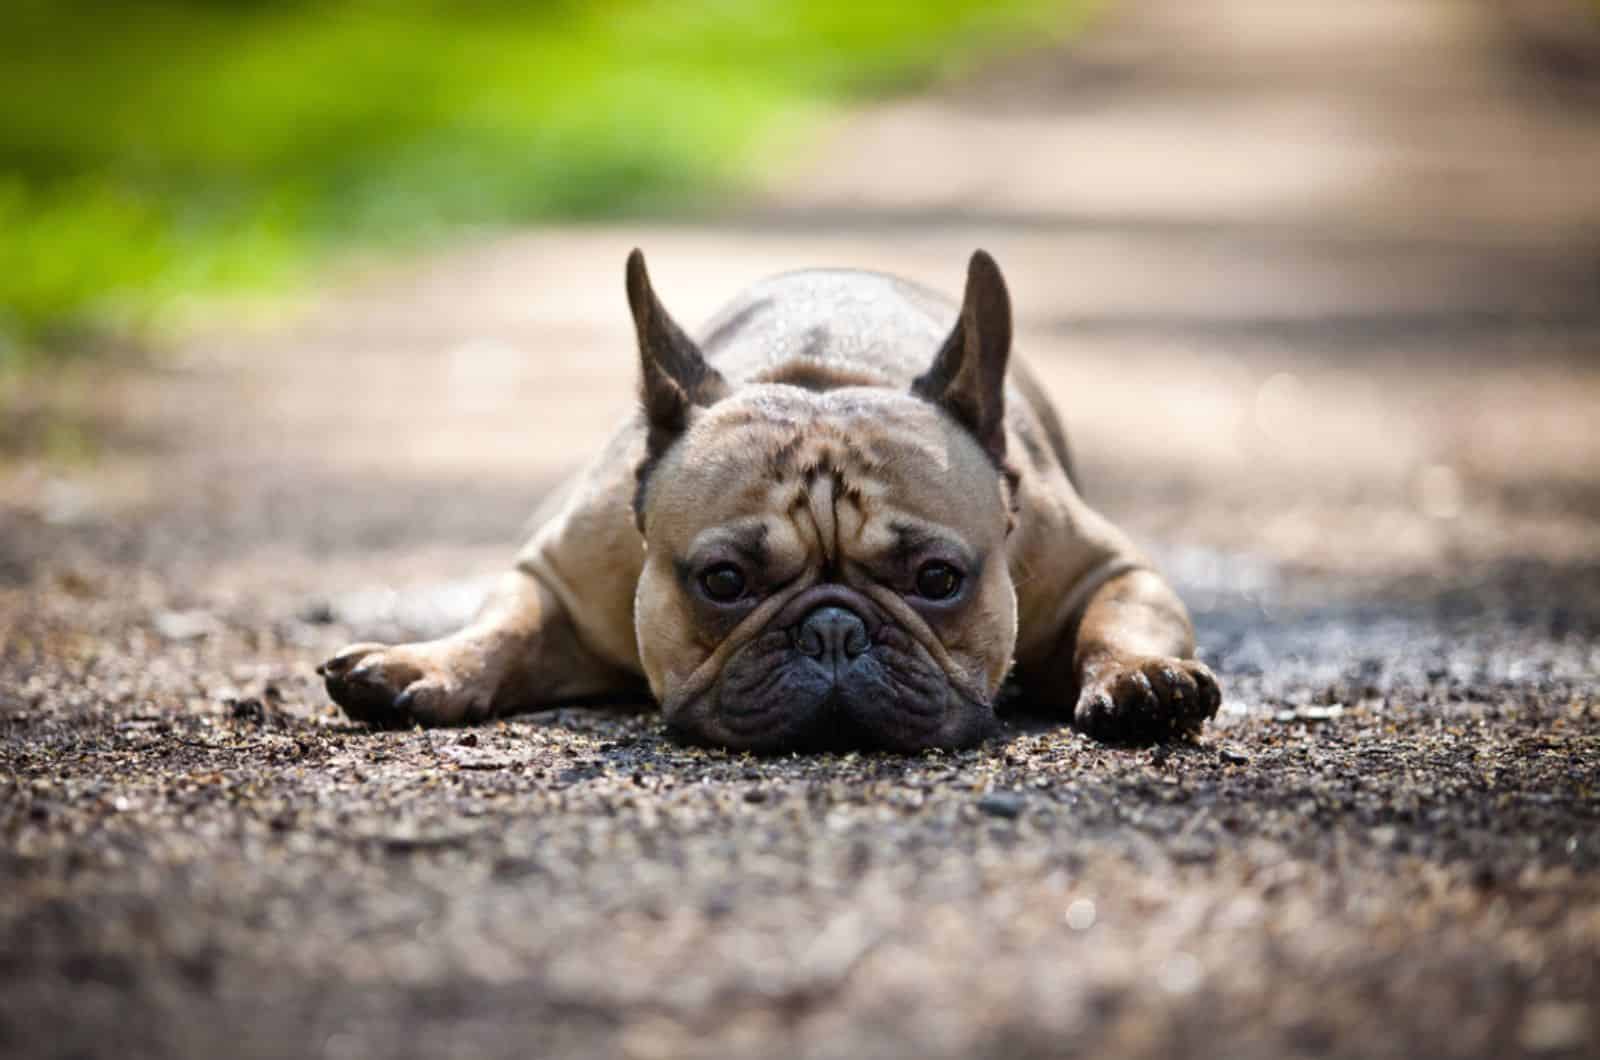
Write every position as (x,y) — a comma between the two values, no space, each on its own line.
(1146,699)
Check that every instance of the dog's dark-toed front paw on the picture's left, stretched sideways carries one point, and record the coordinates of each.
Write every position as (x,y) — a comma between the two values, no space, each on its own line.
(428,685)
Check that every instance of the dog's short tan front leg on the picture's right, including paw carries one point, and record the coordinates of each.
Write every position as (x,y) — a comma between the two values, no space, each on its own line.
(1134,657)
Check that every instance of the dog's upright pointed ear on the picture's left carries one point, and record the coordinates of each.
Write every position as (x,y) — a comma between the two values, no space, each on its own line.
(674,375)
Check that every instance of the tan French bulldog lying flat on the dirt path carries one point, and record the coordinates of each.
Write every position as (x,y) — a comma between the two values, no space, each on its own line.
(842,518)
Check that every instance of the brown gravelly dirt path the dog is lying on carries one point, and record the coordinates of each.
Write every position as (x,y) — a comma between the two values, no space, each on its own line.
(1318,287)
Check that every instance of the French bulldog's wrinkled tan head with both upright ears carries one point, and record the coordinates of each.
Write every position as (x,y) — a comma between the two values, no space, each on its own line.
(826,568)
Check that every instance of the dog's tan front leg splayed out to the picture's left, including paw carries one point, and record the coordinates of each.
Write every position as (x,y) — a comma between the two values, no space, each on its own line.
(519,654)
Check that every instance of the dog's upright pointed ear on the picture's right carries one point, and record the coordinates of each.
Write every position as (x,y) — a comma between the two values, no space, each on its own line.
(967,377)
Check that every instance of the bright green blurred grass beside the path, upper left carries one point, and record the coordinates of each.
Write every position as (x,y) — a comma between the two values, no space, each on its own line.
(151,151)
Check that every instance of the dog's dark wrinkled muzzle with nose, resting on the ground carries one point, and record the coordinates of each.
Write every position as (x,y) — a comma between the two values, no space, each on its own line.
(833,672)
